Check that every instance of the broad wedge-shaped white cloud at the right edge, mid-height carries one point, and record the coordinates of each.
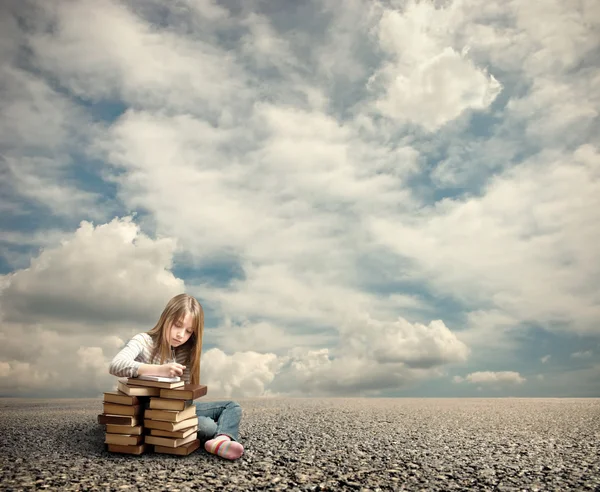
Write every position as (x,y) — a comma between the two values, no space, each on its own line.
(525,244)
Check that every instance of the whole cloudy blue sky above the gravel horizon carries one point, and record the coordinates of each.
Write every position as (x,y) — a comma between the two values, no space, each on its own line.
(368,198)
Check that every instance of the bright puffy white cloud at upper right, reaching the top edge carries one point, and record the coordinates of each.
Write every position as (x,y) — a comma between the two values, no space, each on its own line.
(427,81)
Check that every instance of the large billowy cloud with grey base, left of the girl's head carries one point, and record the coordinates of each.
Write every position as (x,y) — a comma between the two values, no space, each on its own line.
(94,276)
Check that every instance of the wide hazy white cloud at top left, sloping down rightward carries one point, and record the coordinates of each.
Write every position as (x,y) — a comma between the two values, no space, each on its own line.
(132,61)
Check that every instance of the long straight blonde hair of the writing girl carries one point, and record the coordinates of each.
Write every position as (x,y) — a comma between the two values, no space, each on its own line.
(174,311)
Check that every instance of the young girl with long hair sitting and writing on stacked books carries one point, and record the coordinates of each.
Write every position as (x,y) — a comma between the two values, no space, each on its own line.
(172,348)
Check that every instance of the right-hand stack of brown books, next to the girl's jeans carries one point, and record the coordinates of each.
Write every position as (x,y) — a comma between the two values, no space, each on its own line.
(171,420)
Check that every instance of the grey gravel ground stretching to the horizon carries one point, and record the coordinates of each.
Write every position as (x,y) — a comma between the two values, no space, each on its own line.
(322,444)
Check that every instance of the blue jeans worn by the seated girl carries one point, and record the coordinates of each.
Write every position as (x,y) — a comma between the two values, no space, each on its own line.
(218,417)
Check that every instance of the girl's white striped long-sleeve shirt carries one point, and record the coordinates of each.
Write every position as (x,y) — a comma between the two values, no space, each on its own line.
(137,351)
